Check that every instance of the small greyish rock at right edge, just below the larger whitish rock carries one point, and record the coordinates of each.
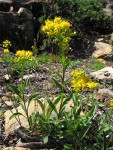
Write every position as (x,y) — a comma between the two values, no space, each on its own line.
(105,93)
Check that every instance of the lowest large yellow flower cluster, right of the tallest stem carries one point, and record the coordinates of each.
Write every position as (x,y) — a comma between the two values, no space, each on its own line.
(81,81)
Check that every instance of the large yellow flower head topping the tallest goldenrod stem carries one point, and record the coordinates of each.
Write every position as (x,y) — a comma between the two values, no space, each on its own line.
(60,30)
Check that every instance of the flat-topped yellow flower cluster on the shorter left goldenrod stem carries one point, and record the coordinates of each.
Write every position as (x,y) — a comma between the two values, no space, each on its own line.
(23,55)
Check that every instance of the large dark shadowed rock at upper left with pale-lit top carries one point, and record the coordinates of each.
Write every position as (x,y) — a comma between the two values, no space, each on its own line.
(19,27)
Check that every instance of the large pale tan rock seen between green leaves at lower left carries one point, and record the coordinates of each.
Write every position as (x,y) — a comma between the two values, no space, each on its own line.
(12,125)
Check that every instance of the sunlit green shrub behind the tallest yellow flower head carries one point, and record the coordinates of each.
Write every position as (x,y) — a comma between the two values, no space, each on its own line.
(86,12)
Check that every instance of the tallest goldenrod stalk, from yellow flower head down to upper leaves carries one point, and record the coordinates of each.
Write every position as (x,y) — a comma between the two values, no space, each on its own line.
(60,31)
